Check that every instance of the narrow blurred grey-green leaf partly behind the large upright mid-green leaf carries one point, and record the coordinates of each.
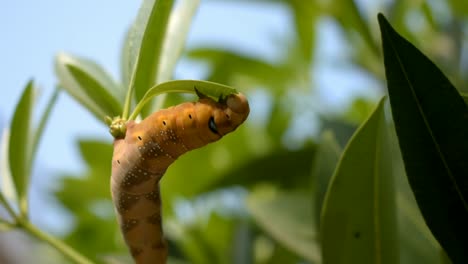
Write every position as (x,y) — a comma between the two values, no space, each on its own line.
(326,157)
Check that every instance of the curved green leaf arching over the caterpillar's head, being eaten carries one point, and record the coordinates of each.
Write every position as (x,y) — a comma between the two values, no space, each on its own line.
(214,90)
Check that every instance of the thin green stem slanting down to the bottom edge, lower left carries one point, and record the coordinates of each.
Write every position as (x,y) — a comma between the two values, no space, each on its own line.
(59,245)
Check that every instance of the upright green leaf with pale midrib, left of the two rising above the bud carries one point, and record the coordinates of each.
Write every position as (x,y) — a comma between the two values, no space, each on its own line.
(146,39)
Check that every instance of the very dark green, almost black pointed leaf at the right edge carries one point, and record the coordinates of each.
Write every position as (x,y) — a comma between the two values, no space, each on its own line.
(431,121)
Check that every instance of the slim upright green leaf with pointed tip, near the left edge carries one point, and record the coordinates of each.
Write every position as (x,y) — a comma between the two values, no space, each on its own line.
(20,144)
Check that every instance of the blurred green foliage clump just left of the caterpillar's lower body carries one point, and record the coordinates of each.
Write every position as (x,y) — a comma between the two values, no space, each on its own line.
(95,229)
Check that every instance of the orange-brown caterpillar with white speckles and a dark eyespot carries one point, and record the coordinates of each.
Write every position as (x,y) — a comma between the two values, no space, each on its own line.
(141,158)
